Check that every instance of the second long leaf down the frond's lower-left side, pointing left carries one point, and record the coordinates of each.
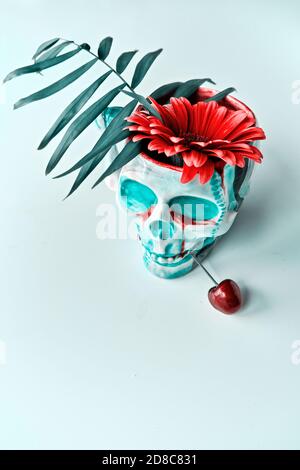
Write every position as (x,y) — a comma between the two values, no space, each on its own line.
(57,86)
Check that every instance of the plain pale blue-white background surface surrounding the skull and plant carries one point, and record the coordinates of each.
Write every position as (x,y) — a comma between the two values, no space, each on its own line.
(100,354)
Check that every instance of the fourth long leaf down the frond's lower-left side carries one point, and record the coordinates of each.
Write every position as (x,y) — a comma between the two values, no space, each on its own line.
(80,124)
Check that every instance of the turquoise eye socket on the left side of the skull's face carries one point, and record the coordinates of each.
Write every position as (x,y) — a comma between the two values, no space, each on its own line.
(135,196)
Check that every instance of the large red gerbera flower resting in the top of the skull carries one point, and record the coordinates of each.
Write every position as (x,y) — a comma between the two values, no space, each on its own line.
(207,135)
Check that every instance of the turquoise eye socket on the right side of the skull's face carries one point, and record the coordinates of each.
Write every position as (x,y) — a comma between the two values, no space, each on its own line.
(193,209)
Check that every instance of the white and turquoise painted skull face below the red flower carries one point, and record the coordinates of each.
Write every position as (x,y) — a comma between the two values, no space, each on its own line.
(173,219)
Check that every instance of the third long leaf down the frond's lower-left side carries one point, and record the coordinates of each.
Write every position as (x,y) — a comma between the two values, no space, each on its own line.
(72,109)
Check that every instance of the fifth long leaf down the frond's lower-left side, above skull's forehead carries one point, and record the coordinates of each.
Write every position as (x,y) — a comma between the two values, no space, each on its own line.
(113,134)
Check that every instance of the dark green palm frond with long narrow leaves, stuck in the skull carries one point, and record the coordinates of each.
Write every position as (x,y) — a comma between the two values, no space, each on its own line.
(51,53)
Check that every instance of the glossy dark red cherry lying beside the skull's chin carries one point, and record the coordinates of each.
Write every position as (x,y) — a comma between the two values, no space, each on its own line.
(226,297)
